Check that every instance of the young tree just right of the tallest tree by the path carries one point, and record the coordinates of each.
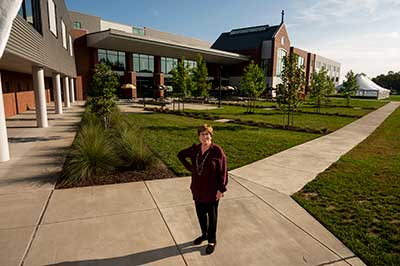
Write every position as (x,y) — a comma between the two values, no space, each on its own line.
(321,85)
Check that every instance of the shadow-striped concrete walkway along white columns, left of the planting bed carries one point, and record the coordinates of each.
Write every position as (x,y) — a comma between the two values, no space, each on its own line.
(27,179)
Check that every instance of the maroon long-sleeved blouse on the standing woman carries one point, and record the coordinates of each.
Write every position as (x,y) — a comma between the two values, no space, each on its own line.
(209,171)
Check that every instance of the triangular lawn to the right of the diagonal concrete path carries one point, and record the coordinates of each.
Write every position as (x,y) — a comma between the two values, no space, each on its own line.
(358,197)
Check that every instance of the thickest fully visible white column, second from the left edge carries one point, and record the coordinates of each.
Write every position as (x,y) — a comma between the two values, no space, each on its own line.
(40,96)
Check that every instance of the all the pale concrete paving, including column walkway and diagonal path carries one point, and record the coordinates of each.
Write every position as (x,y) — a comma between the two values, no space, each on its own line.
(154,222)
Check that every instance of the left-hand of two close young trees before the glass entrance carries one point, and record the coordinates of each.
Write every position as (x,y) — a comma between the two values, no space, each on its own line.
(181,81)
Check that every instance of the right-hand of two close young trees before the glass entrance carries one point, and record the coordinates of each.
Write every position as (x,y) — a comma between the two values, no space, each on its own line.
(200,78)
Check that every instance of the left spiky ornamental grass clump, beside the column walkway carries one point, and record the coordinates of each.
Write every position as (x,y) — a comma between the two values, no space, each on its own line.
(92,154)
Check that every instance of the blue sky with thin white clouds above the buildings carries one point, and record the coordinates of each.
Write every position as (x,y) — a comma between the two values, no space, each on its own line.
(363,35)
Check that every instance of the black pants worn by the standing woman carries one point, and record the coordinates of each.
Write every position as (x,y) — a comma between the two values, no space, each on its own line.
(208,214)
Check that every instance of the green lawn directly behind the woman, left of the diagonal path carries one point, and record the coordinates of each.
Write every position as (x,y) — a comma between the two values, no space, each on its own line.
(167,134)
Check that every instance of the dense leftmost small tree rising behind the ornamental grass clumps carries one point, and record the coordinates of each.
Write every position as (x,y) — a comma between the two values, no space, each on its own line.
(102,92)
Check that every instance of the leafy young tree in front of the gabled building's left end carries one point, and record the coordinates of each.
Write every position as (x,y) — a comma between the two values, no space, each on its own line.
(253,84)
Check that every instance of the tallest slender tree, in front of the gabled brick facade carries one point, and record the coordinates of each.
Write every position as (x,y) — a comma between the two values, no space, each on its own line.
(293,81)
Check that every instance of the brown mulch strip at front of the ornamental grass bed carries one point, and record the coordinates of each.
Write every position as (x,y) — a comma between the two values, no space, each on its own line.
(157,171)
